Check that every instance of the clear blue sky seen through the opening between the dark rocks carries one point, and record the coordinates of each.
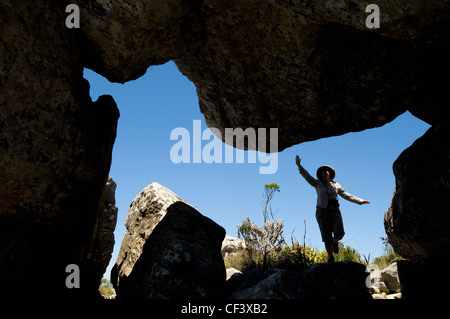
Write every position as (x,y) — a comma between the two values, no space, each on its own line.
(163,99)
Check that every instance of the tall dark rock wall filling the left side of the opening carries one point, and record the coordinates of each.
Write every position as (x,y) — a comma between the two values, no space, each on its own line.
(55,153)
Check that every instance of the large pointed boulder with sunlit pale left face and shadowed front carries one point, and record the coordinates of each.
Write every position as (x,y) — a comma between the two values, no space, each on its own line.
(170,250)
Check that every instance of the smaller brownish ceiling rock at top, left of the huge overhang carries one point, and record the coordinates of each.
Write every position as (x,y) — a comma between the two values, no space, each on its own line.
(124,37)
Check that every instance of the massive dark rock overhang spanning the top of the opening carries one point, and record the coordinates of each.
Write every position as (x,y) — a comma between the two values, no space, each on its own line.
(312,69)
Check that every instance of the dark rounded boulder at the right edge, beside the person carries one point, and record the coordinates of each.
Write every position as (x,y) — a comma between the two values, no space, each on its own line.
(417,221)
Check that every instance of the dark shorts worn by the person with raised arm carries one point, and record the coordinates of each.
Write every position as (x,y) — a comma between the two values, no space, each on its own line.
(330,223)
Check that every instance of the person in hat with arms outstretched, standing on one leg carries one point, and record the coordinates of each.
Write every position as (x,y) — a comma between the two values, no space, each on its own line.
(328,214)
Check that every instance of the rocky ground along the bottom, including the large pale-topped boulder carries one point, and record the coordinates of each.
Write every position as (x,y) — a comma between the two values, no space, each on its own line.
(170,250)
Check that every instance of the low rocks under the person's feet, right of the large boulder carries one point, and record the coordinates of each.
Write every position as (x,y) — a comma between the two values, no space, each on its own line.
(278,283)
